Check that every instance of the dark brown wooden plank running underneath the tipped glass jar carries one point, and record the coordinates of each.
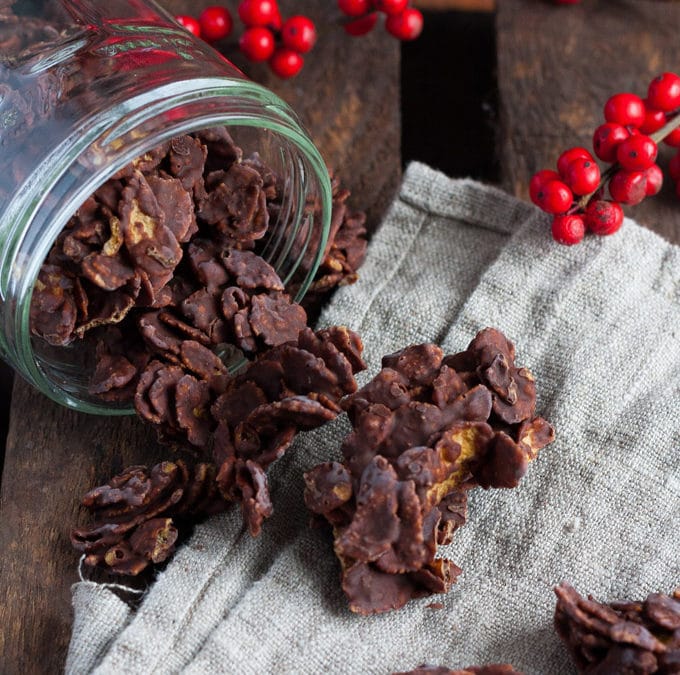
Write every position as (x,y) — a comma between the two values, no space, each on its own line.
(348,98)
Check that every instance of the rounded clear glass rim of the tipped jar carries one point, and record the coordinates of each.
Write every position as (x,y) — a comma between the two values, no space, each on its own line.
(235,103)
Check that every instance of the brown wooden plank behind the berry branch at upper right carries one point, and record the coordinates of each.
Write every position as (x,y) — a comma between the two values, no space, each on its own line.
(558,64)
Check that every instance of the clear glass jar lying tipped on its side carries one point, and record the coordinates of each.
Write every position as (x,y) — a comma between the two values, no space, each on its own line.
(85,88)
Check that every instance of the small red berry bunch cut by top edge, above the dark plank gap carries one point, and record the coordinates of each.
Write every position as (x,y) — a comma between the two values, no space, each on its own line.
(401,21)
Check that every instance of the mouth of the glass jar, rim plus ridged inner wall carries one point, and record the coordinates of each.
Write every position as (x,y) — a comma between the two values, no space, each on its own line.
(102,146)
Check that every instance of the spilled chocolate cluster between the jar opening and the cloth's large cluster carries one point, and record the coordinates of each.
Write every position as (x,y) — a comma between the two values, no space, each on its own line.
(287,389)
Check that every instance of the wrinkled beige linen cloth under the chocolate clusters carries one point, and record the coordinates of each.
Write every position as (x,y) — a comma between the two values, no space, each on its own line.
(599,326)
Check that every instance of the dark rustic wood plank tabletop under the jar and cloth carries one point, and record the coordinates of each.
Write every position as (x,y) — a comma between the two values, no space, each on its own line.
(556,67)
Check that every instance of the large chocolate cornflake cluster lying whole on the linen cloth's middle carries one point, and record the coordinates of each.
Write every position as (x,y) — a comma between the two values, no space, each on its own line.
(426,429)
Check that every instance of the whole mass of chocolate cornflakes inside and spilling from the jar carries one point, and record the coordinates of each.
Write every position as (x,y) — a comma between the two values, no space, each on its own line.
(160,270)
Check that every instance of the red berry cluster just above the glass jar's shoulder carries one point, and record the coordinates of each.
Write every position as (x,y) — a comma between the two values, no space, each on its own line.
(266,36)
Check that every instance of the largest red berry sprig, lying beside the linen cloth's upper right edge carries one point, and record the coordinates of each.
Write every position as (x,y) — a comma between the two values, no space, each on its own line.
(627,141)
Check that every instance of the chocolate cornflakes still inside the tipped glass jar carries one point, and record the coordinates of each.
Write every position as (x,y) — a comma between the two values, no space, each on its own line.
(168,247)
